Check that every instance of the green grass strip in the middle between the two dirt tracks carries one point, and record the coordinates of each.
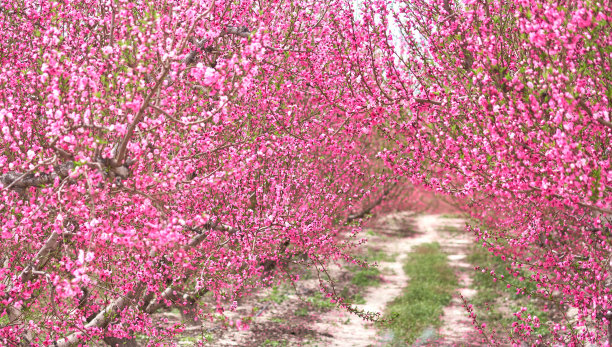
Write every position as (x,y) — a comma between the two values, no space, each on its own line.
(432,282)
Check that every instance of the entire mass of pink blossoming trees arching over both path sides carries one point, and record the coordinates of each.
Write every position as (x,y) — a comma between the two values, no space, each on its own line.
(154,151)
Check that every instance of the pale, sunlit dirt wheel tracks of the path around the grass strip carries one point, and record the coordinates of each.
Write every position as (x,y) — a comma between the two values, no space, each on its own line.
(349,330)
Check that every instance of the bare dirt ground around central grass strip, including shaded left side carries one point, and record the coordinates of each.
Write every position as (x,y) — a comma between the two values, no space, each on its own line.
(300,316)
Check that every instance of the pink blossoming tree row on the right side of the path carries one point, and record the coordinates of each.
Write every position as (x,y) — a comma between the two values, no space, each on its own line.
(506,105)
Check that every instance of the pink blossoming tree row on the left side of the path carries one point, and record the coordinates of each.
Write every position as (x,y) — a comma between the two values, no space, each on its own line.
(154,151)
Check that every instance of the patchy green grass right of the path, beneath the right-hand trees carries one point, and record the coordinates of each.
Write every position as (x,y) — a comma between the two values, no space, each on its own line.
(489,293)
